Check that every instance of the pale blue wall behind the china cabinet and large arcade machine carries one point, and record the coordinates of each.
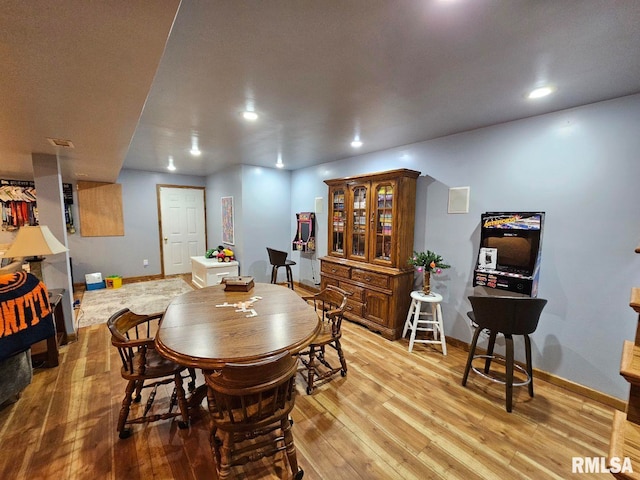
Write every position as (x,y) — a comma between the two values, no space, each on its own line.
(579,166)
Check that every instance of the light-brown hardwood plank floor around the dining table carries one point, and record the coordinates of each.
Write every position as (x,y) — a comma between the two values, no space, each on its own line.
(395,416)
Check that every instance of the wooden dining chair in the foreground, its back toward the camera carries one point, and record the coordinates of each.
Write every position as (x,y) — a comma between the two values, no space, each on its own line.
(249,404)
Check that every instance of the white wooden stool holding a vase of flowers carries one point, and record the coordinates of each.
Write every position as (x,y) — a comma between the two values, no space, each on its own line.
(431,323)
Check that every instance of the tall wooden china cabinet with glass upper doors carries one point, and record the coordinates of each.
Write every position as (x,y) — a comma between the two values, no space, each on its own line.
(371,222)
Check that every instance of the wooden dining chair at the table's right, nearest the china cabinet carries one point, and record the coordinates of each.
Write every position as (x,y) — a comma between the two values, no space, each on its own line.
(329,304)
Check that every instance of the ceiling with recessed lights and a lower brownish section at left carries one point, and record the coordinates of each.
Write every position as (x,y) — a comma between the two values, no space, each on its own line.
(397,71)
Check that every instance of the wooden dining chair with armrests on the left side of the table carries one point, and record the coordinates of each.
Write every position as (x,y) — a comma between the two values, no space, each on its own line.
(143,367)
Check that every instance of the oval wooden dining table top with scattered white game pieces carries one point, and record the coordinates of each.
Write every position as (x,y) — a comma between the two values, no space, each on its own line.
(210,327)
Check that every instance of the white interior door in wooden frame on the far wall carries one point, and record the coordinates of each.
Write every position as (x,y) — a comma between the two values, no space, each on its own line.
(183,227)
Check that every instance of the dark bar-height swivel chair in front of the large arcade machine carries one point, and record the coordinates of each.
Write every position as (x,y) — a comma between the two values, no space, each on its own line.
(508,316)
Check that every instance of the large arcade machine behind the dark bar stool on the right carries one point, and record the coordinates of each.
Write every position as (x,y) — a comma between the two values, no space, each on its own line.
(509,255)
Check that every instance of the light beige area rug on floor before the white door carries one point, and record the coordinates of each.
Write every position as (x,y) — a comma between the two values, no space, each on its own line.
(142,297)
